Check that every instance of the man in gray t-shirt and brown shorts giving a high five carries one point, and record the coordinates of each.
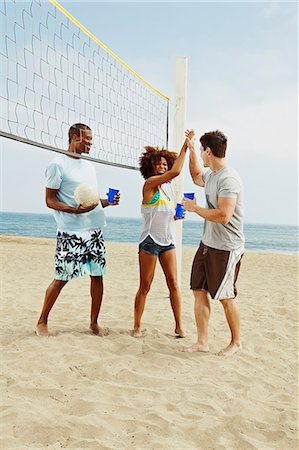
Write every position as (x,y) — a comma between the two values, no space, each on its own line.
(217,262)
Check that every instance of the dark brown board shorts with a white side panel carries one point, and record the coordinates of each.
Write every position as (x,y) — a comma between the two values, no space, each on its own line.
(216,271)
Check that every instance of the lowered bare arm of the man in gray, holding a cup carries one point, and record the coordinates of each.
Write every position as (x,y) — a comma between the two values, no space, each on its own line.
(222,214)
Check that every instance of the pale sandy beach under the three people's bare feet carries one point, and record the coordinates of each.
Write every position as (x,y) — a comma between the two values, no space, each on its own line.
(78,391)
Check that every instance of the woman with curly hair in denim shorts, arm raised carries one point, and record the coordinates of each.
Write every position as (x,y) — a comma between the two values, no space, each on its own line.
(157,236)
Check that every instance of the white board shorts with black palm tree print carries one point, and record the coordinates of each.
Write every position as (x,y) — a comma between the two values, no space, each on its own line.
(80,254)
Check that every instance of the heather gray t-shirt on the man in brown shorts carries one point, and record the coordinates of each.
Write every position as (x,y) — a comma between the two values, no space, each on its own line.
(225,183)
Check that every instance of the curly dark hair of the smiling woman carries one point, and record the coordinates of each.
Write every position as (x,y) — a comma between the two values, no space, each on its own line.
(151,157)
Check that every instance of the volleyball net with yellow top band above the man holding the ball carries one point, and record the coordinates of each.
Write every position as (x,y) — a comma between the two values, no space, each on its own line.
(55,73)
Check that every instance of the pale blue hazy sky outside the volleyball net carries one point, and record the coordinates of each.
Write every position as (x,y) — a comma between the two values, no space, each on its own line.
(242,79)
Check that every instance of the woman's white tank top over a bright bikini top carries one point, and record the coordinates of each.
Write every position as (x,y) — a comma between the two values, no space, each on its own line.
(158,219)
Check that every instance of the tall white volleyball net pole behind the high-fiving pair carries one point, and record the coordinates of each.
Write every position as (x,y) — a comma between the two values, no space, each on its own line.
(178,139)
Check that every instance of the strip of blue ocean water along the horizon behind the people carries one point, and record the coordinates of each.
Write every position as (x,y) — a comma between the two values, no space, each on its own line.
(259,238)
